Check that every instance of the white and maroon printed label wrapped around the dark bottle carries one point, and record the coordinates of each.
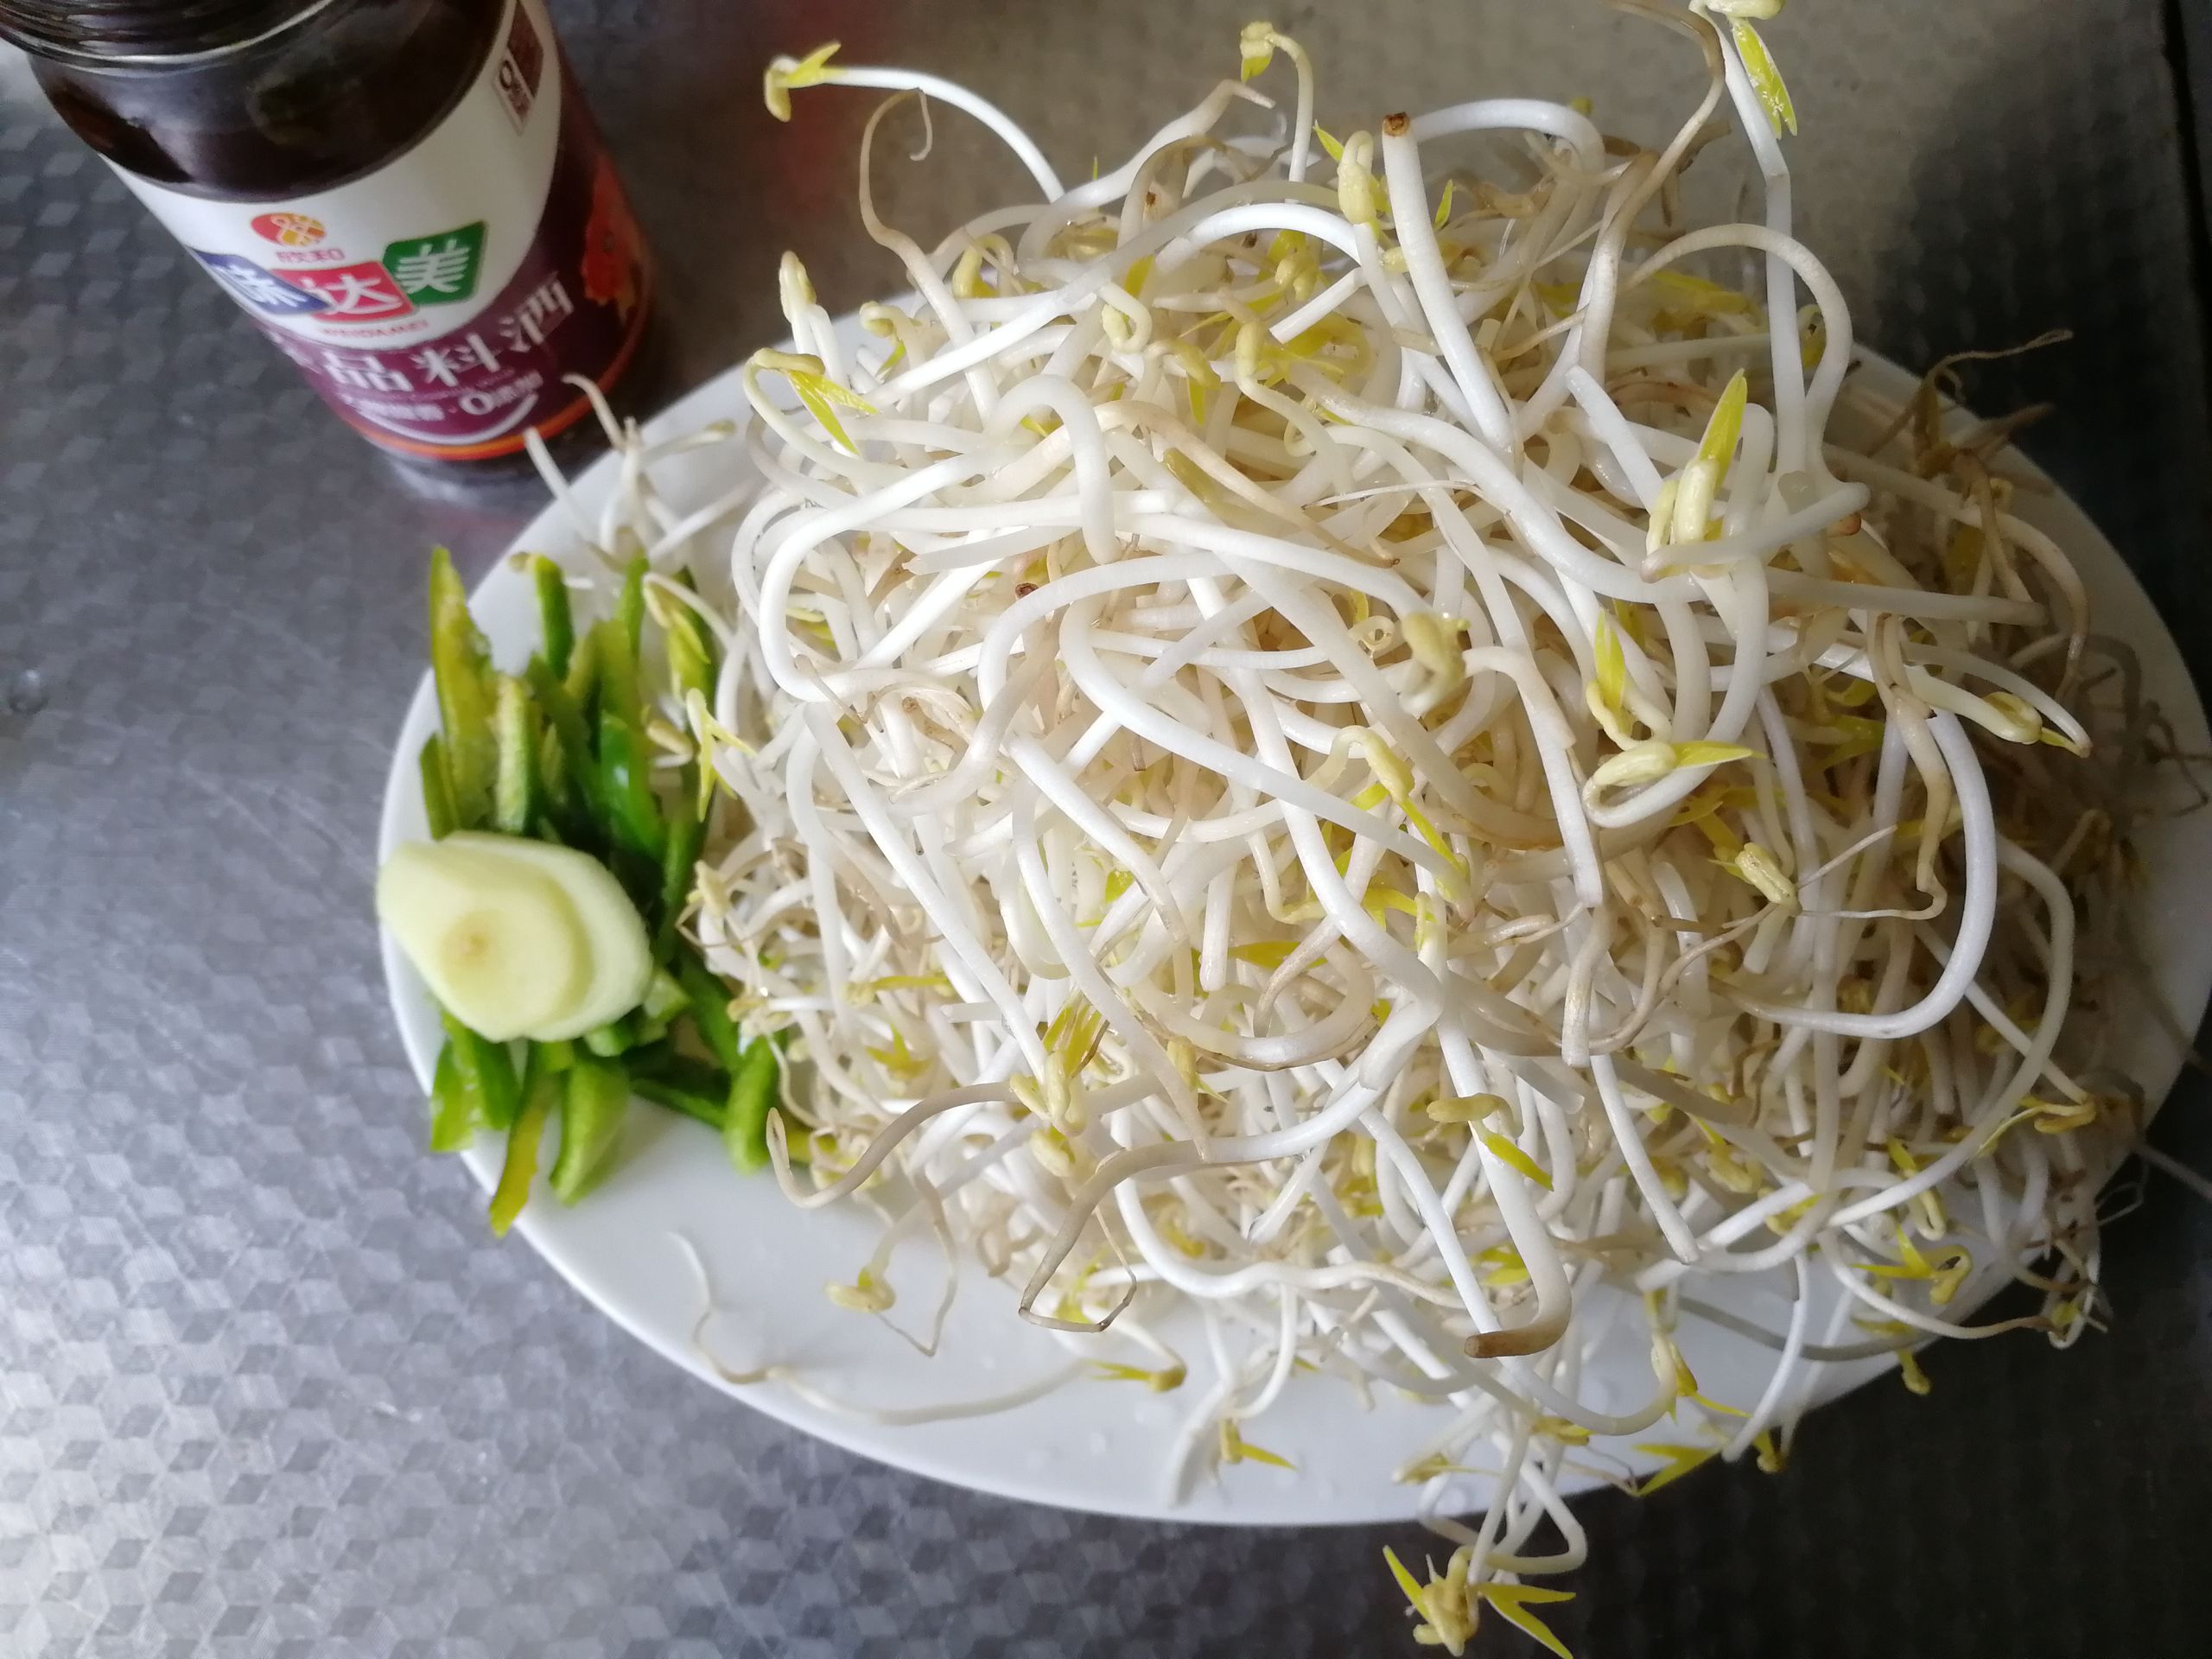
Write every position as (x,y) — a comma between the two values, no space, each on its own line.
(439,302)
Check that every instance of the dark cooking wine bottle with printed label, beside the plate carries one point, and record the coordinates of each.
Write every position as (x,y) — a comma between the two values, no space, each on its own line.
(408,198)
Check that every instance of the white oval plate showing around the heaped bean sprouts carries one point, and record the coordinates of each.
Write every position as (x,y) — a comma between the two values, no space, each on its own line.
(1105,1446)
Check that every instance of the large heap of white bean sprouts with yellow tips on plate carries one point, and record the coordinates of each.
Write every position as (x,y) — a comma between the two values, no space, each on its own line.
(1346,751)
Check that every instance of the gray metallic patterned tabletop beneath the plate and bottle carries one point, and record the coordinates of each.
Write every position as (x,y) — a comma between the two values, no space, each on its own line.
(264,1384)
